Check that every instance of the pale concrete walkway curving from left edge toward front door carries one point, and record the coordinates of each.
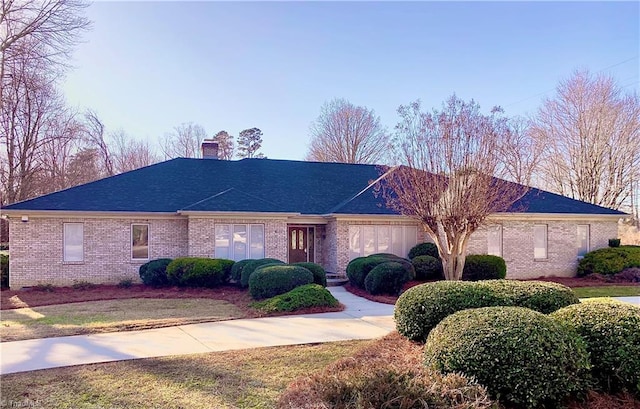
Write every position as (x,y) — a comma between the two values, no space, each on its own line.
(362,319)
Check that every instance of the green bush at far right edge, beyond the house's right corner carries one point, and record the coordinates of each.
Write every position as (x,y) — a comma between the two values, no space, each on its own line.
(609,261)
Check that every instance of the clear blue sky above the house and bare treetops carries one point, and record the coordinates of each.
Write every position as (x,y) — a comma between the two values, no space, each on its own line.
(149,66)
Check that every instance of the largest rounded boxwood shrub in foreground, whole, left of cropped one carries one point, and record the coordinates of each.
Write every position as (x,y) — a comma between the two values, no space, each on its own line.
(521,356)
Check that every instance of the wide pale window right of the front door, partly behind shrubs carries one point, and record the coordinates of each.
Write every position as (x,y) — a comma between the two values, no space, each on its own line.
(365,240)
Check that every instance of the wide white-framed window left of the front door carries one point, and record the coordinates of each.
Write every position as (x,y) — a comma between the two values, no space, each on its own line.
(239,241)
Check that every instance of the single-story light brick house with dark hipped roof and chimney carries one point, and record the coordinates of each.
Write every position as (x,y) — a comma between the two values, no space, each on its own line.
(294,211)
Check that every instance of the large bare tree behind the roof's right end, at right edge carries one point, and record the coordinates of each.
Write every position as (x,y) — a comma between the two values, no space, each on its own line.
(591,133)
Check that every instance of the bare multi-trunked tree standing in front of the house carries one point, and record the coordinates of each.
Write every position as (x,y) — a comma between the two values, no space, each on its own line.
(447,177)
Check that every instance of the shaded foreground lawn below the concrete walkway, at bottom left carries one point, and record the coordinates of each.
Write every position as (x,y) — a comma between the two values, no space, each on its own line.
(235,379)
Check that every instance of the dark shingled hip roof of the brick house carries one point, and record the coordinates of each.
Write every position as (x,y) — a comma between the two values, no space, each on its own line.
(254,185)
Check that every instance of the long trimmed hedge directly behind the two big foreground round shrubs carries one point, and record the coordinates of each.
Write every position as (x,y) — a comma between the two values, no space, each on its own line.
(420,308)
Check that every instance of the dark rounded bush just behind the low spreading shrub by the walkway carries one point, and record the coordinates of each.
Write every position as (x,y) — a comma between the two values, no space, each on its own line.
(271,280)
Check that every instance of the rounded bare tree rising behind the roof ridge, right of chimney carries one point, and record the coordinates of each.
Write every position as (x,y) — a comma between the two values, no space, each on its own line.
(348,134)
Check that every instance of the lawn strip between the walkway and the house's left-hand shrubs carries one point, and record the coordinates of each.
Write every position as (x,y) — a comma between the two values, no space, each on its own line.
(110,316)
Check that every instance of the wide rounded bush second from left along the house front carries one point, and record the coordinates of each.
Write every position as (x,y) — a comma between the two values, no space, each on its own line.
(199,272)
